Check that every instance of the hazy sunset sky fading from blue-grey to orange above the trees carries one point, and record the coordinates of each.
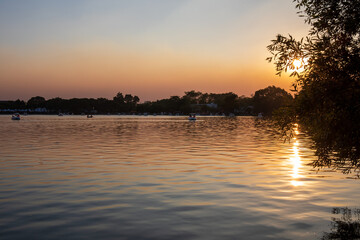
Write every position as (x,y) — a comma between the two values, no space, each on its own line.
(150,48)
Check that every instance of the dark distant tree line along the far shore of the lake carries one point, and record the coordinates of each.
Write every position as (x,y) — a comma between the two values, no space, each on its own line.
(265,101)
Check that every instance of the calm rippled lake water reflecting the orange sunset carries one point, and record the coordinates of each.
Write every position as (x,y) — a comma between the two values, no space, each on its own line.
(116,177)
